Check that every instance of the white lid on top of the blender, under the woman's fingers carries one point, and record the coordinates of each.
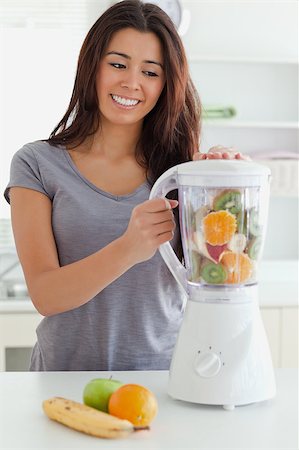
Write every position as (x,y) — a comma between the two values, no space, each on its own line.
(223,172)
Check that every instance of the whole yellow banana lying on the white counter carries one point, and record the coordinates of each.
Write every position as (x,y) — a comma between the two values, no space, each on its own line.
(86,419)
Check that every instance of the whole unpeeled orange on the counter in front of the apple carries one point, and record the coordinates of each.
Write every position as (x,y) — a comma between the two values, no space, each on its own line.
(134,403)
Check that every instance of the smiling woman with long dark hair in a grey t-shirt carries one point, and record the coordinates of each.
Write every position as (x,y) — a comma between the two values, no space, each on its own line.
(86,233)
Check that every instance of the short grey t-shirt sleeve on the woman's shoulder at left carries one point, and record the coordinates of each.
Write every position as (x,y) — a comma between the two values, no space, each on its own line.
(24,172)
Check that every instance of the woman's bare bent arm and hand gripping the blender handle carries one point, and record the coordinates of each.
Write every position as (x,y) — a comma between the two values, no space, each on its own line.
(54,289)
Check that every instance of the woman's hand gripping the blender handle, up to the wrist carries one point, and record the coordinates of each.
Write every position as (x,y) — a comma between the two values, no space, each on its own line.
(151,224)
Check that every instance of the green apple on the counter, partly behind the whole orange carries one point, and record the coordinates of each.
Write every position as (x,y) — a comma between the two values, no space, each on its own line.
(97,392)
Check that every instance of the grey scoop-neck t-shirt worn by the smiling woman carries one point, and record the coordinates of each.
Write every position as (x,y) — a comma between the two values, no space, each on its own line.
(132,324)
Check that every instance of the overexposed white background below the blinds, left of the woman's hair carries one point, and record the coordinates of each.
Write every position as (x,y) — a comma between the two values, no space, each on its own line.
(35,88)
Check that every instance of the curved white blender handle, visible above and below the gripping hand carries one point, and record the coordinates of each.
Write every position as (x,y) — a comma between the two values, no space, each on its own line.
(166,183)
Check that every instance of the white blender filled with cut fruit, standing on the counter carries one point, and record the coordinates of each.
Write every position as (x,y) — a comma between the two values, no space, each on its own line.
(221,356)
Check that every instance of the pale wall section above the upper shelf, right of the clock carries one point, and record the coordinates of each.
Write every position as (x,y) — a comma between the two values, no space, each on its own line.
(256,29)
